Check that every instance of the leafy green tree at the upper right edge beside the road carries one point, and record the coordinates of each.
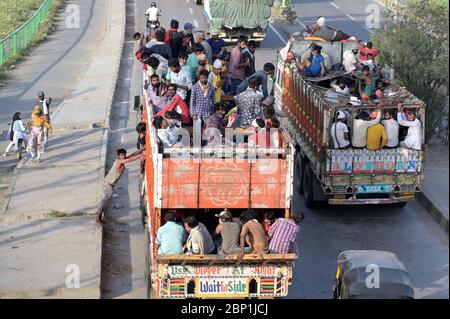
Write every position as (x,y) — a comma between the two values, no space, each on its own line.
(416,47)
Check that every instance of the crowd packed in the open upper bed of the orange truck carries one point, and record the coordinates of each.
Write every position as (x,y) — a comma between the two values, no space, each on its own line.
(195,83)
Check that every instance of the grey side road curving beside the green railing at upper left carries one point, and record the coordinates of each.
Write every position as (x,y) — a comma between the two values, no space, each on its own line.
(54,67)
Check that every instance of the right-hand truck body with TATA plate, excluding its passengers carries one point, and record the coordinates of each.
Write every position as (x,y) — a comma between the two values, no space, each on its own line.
(342,176)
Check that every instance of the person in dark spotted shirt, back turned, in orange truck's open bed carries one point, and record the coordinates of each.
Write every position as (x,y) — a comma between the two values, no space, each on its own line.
(248,105)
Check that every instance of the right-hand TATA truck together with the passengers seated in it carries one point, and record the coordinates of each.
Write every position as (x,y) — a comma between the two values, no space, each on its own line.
(332,129)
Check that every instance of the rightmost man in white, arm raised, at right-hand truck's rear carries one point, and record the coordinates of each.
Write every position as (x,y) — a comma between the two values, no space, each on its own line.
(414,138)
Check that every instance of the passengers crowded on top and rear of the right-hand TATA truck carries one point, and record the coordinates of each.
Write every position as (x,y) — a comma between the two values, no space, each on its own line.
(361,85)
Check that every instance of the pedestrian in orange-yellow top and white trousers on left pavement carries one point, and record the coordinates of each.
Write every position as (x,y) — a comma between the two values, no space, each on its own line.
(39,126)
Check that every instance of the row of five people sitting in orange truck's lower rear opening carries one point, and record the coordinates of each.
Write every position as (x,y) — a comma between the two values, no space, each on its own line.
(243,235)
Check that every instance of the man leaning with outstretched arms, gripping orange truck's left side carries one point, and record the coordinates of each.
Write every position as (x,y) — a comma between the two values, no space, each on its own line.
(113,177)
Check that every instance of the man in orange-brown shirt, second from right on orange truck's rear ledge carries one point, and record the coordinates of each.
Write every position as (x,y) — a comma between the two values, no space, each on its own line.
(252,233)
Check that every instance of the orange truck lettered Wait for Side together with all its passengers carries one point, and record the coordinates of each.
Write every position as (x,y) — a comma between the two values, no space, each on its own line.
(217,174)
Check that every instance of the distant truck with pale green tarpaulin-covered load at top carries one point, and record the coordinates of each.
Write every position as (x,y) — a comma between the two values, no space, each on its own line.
(238,17)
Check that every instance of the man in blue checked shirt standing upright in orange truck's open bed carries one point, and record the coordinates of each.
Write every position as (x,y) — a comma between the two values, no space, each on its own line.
(203,98)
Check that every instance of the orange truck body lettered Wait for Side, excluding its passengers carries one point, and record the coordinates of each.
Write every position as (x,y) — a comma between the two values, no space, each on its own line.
(202,182)
